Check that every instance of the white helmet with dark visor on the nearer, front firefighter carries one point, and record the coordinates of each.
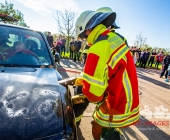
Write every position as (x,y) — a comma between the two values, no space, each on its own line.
(89,19)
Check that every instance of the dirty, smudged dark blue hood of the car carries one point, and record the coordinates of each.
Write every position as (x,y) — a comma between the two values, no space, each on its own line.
(30,103)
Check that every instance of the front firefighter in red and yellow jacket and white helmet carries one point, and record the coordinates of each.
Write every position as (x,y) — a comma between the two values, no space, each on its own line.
(109,76)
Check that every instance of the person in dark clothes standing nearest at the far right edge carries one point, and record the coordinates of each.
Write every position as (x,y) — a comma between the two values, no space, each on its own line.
(166,62)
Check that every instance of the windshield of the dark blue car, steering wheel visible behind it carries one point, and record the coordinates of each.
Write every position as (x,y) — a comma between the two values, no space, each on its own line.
(22,47)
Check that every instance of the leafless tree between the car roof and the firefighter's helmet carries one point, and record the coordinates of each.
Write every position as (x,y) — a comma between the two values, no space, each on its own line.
(65,23)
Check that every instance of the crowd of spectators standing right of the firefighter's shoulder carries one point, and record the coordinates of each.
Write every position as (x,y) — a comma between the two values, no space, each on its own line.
(144,58)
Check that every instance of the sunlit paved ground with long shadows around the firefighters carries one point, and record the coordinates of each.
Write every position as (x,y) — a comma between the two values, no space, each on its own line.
(154,123)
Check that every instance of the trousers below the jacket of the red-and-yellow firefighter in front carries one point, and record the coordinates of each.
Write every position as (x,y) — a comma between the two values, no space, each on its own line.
(104,132)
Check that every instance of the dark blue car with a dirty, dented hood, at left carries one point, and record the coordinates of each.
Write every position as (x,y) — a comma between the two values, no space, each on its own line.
(33,105)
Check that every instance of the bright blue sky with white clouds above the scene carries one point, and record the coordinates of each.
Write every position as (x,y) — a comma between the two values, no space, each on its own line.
(151,18)
